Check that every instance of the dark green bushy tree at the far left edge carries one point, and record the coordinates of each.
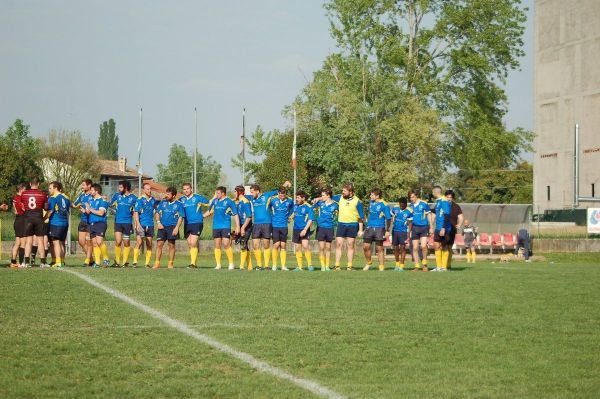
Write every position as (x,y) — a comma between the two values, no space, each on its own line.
(19,153)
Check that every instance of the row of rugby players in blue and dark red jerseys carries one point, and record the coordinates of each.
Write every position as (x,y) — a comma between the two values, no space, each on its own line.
(260,226)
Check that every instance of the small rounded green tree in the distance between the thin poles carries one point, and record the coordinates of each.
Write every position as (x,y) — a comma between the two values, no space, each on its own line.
(180,167)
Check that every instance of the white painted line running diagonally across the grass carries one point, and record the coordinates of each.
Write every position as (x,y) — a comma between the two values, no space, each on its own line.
(184,328)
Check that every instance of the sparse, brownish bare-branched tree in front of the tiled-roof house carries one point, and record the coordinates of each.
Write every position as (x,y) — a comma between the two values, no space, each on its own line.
(68,158)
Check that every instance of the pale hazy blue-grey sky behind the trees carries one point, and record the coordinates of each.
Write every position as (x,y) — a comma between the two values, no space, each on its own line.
(73,64)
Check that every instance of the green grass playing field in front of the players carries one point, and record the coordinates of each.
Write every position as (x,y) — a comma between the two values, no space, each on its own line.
(483,330)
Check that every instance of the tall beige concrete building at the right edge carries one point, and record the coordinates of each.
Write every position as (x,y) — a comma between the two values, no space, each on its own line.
(567,92)
